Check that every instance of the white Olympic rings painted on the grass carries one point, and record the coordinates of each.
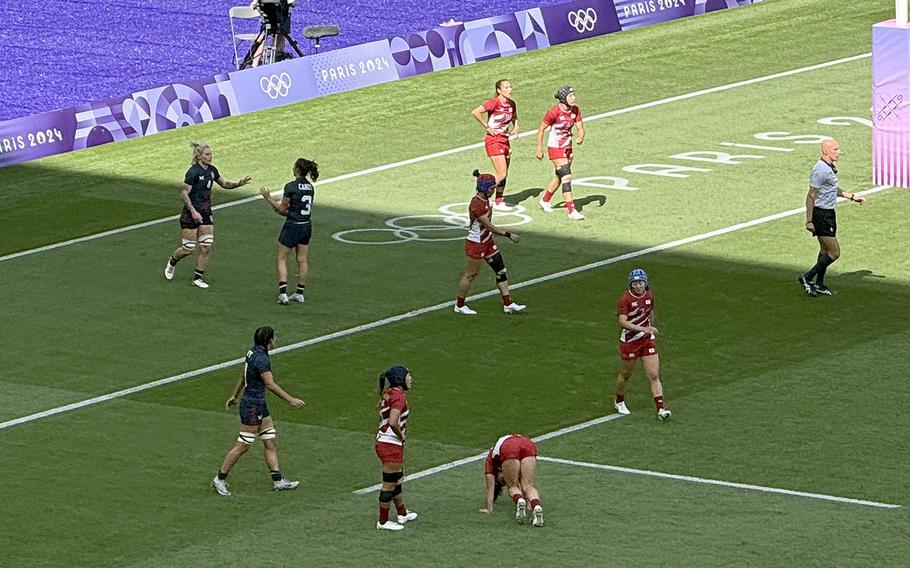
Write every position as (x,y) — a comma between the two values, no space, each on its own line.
(451,224)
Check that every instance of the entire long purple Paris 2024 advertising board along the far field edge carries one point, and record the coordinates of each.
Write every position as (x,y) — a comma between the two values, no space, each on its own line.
(195,102)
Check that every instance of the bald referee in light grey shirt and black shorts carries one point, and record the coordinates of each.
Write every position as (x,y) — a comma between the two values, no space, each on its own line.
(820,217)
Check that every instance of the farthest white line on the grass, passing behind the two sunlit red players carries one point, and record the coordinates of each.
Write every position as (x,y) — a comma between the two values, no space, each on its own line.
(426,157)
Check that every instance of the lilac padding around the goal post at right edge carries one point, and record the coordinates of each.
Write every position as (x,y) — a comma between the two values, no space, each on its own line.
(890,100)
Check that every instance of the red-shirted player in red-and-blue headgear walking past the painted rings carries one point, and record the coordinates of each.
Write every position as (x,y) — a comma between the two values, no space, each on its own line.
(479,246)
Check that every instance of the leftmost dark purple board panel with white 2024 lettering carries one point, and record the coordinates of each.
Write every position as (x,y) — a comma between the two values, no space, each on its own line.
(33,137)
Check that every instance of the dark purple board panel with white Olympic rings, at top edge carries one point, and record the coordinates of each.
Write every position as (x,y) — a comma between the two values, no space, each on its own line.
(580,19)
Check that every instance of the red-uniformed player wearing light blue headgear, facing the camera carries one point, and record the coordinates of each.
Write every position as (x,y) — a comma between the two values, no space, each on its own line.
(636,318)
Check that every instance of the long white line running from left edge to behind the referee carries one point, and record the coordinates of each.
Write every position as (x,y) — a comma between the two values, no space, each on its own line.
(413,314)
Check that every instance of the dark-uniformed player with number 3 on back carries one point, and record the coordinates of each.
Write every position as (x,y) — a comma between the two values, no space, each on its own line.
(297,206)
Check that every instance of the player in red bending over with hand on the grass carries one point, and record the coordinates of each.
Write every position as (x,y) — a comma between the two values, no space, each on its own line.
(512,462)
